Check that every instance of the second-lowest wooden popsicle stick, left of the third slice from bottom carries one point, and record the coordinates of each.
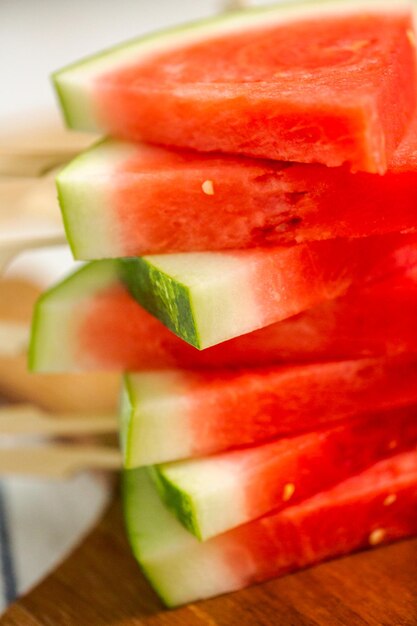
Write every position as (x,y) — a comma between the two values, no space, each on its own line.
(22,419)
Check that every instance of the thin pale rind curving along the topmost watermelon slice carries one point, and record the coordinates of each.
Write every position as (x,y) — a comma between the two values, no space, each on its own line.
(77,103)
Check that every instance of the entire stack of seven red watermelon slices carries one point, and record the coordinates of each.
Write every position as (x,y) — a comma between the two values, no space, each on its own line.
(252,232)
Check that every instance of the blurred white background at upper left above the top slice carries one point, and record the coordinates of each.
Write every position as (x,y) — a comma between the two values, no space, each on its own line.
(39,36)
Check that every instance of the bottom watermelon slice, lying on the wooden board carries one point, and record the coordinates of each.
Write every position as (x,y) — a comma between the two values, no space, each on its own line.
(373,508)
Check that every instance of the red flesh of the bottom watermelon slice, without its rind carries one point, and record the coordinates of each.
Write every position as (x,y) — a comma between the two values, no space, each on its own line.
(374,507)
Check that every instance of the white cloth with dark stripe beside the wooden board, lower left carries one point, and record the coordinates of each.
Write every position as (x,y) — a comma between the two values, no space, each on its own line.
(40,522)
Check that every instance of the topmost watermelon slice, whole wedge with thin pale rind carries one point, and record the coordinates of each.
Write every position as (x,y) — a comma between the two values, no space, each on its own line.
(242,83)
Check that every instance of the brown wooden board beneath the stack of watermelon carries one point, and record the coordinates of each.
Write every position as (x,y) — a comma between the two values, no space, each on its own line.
(100,584)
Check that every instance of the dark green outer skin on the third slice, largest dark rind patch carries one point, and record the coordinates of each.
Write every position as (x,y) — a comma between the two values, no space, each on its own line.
(163,296)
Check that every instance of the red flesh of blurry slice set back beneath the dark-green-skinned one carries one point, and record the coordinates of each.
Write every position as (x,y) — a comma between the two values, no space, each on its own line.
(115,332)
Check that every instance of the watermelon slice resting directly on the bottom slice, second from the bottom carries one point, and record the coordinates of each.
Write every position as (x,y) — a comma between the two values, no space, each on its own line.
(213,494)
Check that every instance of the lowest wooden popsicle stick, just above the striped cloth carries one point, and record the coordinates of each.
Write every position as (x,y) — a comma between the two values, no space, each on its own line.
(57,461)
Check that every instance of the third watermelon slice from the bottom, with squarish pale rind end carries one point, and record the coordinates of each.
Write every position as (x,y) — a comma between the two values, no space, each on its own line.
(176,414)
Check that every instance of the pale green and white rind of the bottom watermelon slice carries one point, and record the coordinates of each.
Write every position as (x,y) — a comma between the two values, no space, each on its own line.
(180,568)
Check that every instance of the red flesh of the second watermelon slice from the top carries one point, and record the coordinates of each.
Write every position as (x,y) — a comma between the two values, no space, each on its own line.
(256,203)
